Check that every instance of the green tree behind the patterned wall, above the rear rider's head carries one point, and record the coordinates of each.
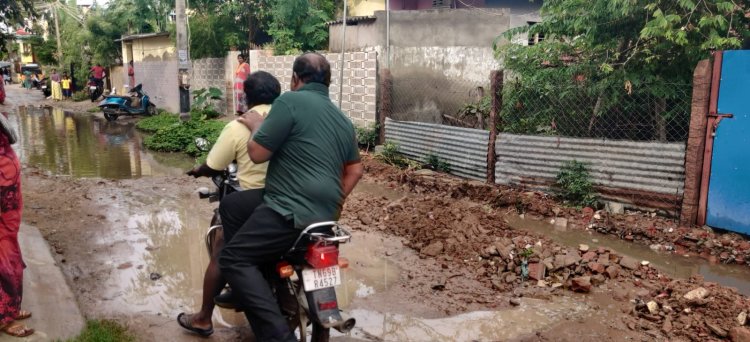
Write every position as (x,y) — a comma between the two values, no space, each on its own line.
(299,25)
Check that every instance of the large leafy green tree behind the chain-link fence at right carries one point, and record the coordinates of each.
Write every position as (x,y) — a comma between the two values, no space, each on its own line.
(602,50)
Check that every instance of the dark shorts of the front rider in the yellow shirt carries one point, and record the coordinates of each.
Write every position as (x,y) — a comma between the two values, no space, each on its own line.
(235,209)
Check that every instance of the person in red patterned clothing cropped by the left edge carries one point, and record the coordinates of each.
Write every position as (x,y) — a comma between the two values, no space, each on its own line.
(11,263)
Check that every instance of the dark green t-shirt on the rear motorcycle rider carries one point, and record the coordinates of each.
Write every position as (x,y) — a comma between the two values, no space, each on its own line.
(312,141)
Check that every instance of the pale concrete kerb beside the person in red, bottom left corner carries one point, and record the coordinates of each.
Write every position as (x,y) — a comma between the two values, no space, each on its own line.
(45,293)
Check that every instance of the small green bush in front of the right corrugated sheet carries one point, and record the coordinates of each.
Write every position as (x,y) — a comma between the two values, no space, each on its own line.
(574,185)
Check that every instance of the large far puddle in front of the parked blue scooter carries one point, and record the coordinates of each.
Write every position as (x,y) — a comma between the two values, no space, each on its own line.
(81,145)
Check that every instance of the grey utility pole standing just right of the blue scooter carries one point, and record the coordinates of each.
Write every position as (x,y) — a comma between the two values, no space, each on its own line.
(183,74)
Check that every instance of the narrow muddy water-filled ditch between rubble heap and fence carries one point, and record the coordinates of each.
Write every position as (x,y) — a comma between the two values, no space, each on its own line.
(671,264)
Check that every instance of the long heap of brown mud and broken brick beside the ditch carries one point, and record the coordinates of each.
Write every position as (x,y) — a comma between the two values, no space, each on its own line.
(460,224)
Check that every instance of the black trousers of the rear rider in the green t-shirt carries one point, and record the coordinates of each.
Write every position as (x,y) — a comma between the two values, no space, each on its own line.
(263,239)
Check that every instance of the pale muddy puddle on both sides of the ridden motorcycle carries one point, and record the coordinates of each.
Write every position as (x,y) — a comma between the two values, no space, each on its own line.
(170,242)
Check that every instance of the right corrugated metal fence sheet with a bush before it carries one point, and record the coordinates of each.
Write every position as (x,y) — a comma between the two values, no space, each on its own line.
(643,174)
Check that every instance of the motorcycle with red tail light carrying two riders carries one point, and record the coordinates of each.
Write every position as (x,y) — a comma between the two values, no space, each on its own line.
(307,274)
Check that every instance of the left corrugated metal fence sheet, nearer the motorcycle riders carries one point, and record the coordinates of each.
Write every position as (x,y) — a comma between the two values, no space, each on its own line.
(464,148)
